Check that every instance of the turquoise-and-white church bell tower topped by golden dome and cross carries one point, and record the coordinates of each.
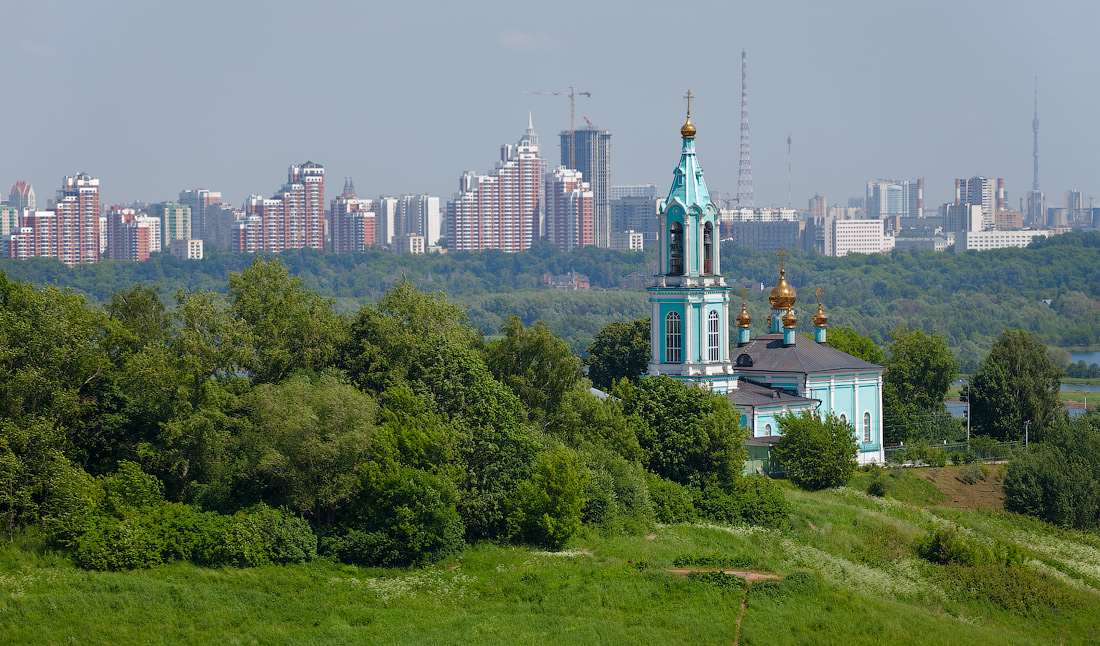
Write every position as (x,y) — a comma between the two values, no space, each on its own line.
(690,300)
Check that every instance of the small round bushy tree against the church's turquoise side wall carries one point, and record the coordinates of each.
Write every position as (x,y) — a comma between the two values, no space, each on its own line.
(818,454)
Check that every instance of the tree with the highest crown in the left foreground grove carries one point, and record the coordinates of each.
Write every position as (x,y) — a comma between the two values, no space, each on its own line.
(291,327)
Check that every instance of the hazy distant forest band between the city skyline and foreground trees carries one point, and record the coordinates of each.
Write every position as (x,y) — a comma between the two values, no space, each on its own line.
(1052,289)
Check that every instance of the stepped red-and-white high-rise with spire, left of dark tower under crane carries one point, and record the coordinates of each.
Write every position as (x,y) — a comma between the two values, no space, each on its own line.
(501,210)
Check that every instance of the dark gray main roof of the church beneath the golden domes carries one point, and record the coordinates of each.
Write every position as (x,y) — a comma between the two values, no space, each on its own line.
(769,355)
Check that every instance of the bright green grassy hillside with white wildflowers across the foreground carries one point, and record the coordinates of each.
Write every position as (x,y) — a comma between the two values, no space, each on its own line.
(866,586)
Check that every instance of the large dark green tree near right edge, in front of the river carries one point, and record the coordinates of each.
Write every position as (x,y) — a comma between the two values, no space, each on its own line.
(1017,385)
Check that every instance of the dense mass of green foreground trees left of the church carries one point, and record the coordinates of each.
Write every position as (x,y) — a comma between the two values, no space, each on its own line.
(261,426)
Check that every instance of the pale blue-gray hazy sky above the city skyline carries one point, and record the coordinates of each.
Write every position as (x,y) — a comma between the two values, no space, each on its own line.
(153,97)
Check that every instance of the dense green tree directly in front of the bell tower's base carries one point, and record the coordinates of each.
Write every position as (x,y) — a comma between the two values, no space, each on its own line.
(687,434)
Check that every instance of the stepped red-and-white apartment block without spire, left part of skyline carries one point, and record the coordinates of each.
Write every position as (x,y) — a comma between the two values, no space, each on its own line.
(293,218)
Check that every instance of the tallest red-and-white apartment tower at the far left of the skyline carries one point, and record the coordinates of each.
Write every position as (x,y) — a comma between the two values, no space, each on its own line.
(78,221)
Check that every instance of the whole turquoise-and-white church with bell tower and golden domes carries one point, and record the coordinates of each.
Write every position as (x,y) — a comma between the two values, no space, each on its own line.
(766,377)
